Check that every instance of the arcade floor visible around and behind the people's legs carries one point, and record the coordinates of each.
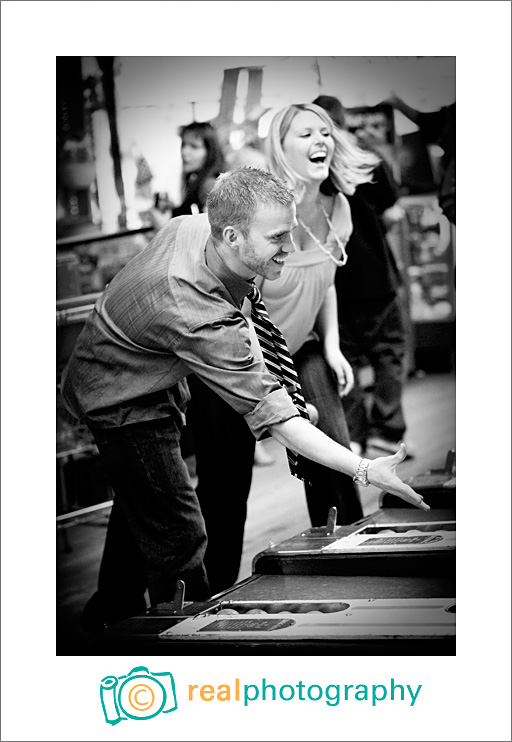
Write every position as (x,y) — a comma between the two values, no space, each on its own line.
(429,407)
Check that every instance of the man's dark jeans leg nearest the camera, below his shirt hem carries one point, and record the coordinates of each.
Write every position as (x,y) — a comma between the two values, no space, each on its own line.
(156,532)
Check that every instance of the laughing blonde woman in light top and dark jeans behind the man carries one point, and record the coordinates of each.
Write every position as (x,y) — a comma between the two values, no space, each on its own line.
(321,164)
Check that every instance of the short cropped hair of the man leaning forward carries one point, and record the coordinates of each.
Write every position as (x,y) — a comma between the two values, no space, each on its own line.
(237,194)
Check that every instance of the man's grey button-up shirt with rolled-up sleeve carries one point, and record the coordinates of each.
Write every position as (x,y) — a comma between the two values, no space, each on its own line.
(173,309)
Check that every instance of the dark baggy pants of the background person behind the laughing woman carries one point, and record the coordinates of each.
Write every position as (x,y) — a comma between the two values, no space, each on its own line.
(373,332)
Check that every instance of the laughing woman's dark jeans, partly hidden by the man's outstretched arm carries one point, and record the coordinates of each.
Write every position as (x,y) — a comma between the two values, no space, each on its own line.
(327,487)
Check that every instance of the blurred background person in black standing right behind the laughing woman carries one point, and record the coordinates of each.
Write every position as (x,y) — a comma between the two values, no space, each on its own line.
(371,322)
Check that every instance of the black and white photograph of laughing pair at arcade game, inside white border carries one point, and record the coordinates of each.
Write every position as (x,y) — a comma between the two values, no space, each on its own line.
(211,545)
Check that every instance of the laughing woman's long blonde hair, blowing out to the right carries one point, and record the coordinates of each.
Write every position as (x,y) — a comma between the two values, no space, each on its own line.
(350,165)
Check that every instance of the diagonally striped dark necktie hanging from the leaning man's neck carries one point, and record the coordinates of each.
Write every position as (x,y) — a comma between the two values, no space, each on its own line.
(279,362)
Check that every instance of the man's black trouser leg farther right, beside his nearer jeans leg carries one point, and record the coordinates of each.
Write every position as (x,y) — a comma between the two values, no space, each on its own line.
(224,447)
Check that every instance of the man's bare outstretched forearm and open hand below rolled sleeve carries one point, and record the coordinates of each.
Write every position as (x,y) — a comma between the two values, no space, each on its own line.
(300,436)
